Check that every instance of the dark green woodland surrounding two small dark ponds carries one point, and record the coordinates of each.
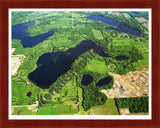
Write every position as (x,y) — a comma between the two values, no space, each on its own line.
(91,93)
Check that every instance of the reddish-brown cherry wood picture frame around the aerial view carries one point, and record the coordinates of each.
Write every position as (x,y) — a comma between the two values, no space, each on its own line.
(4,63)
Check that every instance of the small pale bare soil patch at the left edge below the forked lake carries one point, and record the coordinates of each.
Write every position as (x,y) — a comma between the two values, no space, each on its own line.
(16,60)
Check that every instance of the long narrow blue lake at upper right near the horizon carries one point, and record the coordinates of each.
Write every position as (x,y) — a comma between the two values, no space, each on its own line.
(107,20)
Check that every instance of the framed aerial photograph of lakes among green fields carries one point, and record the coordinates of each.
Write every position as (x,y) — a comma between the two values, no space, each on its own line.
(79,62)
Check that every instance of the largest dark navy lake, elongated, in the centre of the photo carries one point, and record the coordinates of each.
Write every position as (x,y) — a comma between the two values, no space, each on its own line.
(52,65)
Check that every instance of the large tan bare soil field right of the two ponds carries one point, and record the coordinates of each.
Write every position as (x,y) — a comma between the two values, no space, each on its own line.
(133,84)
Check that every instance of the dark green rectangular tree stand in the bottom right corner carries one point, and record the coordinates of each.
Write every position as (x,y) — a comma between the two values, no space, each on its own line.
(135,105)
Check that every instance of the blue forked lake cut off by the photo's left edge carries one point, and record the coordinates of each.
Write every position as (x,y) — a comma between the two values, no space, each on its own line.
(20,32)
